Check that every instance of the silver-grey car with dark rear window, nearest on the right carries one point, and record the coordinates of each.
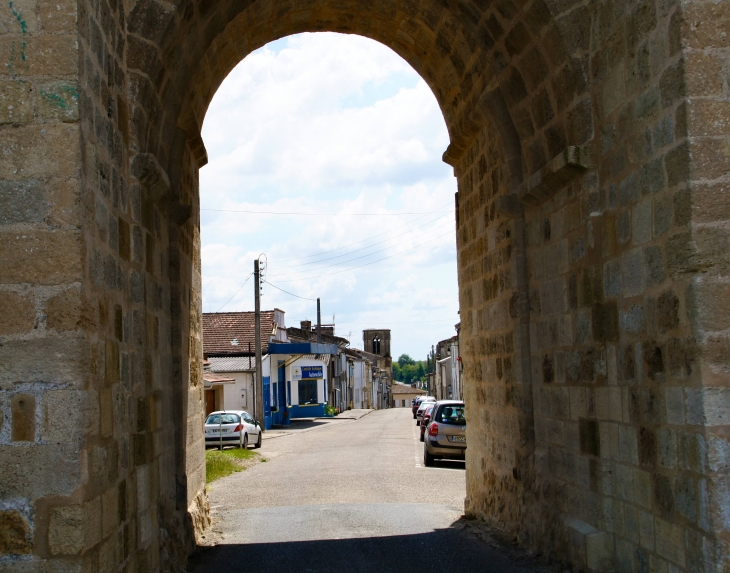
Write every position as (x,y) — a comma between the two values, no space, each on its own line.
(445,436)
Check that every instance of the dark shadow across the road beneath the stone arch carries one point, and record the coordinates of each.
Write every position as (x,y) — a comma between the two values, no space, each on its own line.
(448,550)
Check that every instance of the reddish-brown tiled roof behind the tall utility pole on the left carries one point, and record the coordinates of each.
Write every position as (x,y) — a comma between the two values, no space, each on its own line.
(230,332)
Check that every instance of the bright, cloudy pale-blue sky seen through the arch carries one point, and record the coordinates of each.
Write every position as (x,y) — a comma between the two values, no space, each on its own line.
(325,156)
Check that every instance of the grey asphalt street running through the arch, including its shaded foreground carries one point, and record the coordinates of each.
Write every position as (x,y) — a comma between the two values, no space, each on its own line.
(348,495)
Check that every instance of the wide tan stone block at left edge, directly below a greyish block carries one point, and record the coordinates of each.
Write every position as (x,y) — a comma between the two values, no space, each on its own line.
(41,257)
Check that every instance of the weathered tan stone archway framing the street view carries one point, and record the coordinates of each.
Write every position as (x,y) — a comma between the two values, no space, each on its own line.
(590,143)
